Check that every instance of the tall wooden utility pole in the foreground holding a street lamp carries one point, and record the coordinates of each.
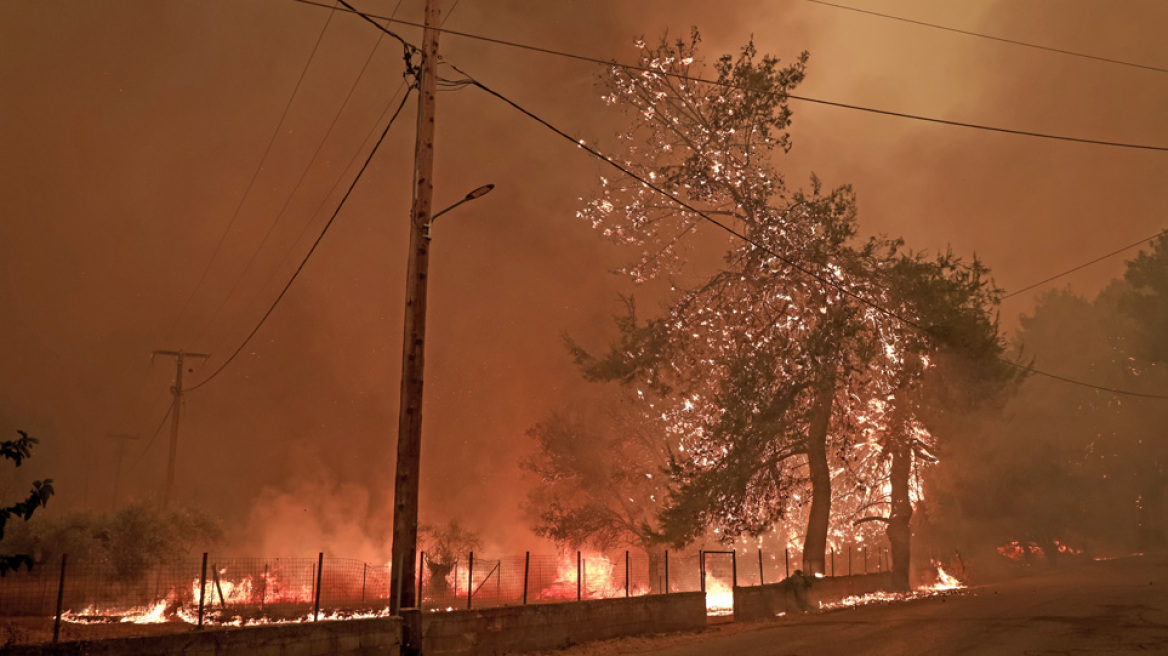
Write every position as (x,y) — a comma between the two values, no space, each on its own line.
(404,564)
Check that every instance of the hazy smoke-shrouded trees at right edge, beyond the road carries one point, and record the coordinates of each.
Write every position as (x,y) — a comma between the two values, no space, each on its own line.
(1075,469)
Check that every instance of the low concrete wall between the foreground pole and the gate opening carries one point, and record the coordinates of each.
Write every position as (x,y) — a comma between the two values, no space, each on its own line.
(527,629)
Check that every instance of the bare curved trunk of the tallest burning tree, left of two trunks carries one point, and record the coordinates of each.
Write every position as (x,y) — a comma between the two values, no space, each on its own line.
(816,542)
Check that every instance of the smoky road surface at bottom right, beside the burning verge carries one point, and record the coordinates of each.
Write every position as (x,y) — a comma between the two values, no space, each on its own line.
(1107,608)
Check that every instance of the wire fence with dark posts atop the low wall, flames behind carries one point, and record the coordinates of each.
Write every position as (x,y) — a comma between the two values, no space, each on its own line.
(91,601)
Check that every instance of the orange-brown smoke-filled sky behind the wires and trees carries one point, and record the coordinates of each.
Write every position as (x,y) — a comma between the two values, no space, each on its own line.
(133,131)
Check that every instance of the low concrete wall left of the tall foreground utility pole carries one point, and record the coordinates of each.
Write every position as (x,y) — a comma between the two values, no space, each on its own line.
(353,638)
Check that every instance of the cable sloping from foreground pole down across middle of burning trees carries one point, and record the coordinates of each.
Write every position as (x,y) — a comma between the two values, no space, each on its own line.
(790,263)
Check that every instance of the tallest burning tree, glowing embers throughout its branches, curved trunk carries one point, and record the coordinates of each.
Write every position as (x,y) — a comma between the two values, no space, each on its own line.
(757,366)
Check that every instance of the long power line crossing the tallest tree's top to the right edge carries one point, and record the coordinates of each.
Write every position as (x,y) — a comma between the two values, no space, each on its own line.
(791,96)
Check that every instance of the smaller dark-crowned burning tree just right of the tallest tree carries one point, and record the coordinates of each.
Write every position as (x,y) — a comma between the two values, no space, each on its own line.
(950,357)
